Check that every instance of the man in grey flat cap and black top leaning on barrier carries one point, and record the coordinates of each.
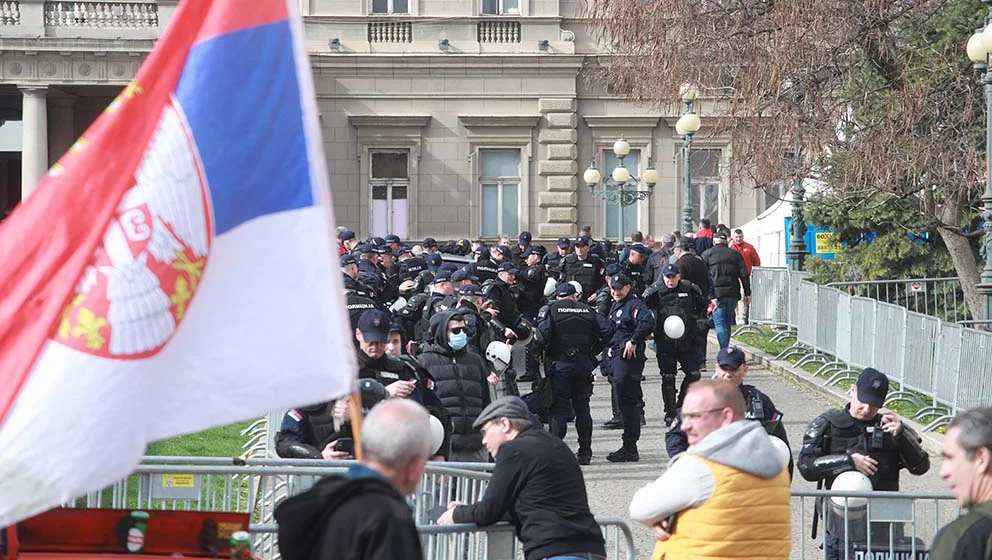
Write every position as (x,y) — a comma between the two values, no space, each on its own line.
(538,483)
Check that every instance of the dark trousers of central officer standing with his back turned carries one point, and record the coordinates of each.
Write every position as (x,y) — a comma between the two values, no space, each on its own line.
(571,386)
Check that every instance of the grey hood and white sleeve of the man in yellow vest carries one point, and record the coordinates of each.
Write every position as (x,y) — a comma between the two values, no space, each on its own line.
(688,482)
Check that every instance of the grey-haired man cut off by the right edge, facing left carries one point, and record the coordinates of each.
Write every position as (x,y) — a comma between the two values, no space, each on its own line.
(967,467)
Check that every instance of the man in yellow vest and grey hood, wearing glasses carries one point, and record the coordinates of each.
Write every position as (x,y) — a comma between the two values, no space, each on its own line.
(729,492)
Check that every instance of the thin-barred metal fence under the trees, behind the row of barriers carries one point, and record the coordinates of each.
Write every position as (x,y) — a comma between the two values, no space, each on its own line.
(939,297)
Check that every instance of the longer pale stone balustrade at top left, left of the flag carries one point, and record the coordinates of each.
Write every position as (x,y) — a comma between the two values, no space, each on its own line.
(101,14)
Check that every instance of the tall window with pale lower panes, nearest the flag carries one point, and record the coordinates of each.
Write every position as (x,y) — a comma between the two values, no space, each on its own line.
(389,181)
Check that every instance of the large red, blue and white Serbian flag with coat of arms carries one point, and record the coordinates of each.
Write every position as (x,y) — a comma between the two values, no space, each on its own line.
(175,270)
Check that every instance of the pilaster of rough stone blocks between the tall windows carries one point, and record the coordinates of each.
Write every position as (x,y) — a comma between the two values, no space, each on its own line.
(558,165)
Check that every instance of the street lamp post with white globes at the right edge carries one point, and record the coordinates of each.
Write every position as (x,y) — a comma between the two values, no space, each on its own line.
(979,47)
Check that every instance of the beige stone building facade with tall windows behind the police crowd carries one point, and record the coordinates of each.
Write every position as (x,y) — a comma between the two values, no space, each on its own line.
(443,118)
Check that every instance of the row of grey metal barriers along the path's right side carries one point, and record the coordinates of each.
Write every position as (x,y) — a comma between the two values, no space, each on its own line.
(939,367)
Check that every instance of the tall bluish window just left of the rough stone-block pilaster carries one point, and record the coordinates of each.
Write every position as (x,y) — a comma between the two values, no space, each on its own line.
(500,185)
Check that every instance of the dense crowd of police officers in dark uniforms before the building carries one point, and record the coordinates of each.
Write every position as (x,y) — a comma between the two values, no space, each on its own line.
(426,317)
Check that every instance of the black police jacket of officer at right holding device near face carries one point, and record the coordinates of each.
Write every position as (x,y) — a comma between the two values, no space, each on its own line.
(832,437)
